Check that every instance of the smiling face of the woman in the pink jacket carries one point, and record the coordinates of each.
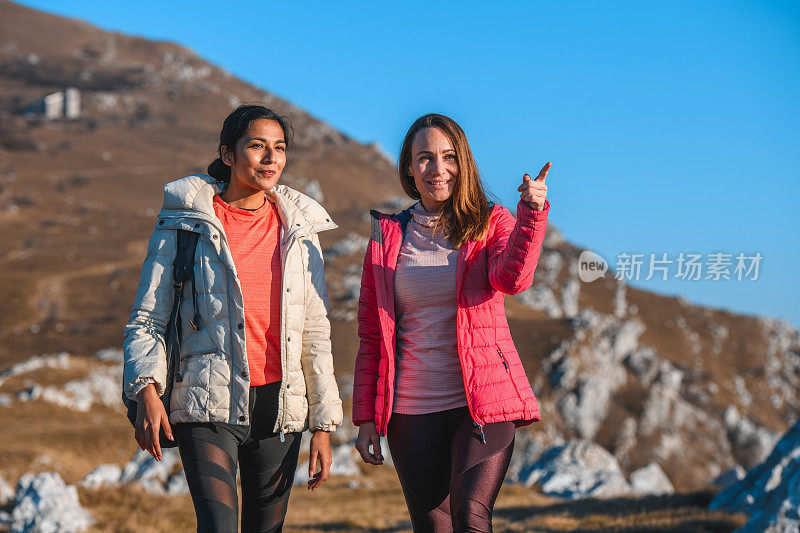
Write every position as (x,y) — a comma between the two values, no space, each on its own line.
(434,166)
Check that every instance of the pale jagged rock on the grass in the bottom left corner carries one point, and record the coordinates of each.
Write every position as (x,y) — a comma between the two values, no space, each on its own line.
(44,503)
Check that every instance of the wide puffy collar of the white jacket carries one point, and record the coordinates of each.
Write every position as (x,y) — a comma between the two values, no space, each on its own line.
(192,197)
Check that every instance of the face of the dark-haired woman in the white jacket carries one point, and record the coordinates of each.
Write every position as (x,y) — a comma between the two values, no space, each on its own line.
(258,158)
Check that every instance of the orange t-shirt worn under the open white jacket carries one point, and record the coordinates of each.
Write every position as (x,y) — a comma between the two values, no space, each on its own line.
(253,239)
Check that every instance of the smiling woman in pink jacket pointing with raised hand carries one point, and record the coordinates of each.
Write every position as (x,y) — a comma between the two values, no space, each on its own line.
(437,371)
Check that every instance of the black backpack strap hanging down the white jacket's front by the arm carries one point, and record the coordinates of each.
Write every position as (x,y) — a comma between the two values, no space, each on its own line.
(182,271)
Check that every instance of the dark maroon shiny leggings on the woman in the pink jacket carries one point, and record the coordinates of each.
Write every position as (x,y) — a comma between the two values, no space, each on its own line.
(450,478)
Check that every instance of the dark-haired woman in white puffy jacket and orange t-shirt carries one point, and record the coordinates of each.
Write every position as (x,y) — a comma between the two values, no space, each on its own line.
(255,364)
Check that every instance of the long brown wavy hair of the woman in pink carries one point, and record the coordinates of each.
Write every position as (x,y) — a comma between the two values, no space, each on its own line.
(465,215)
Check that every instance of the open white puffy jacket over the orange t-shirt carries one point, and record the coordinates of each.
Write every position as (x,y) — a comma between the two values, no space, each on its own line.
(213,363)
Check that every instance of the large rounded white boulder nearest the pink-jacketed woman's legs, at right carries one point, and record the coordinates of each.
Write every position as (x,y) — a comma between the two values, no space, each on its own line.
(577,469)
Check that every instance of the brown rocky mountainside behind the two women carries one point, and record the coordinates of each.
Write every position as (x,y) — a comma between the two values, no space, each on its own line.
(630,381)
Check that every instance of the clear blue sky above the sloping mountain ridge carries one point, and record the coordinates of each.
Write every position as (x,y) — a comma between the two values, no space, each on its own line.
(672,126)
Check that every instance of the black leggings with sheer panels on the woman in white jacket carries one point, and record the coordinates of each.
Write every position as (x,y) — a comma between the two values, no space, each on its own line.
(210,451)
